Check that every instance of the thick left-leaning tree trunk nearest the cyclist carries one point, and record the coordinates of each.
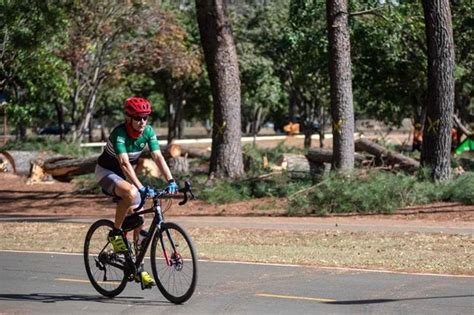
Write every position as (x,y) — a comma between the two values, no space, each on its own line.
(222,65)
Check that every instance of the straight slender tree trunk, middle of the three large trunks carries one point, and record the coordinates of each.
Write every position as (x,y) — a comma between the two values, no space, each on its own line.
(342,111)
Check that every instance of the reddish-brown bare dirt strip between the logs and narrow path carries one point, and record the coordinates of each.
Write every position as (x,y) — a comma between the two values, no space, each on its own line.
(57,199)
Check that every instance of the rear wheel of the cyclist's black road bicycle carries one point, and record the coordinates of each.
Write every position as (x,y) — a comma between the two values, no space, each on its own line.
(105,268)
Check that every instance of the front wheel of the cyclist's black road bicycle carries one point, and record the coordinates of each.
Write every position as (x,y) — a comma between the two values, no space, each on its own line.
(174,263)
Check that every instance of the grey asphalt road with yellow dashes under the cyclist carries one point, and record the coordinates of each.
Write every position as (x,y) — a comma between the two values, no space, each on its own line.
(45,283)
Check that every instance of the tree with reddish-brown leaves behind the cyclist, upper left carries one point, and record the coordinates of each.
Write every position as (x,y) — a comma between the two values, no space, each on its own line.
(96,51)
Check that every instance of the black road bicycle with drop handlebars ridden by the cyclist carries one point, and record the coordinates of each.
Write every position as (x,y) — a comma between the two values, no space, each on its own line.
(172,254)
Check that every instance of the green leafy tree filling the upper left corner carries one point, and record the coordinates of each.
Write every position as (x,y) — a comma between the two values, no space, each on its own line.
(28,30)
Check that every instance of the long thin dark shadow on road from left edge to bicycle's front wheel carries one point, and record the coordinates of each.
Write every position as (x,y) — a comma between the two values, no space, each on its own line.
(60,297)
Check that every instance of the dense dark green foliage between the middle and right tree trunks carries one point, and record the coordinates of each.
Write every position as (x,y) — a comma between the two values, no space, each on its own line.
(389,62)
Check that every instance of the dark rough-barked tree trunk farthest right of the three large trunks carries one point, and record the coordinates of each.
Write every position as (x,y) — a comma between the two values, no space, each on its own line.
(438,124)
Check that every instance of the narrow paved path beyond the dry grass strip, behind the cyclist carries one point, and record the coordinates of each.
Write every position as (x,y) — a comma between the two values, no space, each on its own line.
(278,223)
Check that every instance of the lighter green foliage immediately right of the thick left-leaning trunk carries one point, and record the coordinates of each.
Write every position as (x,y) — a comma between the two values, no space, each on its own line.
(262,91)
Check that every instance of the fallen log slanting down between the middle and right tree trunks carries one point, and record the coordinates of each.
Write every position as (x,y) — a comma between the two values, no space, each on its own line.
(386,156)
